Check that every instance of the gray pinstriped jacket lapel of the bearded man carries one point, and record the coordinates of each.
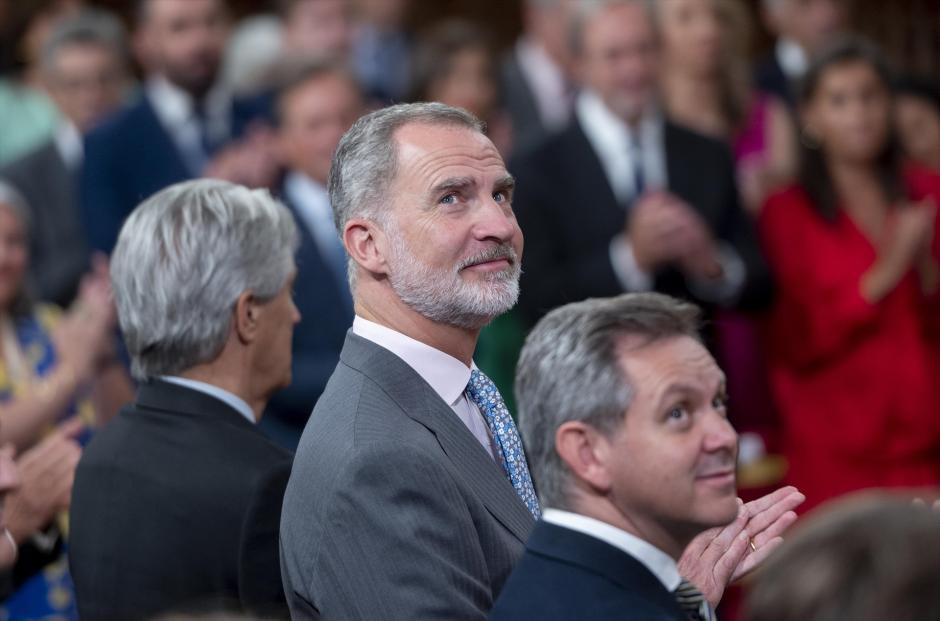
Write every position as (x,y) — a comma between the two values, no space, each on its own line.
(419,401)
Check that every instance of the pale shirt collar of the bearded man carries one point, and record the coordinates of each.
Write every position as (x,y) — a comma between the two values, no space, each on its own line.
(446,375)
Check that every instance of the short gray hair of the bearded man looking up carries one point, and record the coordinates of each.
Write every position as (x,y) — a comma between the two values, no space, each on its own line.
(366,160)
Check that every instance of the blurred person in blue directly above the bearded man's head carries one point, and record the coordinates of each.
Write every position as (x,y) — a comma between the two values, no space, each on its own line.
(382,48)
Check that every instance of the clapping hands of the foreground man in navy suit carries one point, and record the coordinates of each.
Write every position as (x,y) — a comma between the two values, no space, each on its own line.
(719,556)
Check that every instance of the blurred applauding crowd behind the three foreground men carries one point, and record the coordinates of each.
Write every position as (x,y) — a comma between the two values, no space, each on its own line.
(792,196)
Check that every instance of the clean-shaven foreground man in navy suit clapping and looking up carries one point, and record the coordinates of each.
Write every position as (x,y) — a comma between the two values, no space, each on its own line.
(622,410)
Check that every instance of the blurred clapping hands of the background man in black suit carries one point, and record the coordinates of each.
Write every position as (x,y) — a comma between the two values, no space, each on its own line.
(662,229)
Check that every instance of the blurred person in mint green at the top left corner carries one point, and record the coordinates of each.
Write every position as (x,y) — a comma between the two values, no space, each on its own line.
(27,116)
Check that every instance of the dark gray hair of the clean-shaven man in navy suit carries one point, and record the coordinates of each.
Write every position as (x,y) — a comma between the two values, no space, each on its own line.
(569,370)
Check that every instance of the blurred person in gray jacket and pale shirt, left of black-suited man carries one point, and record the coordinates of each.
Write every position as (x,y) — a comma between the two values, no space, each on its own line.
(538,74)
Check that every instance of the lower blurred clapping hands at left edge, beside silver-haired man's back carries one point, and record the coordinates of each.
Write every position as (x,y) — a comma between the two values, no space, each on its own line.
(46,474)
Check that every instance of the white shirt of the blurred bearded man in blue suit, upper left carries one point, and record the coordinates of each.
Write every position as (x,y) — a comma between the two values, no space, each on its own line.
(176,110)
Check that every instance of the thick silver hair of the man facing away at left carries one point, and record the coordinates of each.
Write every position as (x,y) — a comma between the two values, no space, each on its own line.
(183,258)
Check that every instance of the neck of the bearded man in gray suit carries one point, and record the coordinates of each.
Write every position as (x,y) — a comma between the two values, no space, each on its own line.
(394,314)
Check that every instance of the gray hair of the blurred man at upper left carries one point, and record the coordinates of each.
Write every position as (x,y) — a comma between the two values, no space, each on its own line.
(90,27)
